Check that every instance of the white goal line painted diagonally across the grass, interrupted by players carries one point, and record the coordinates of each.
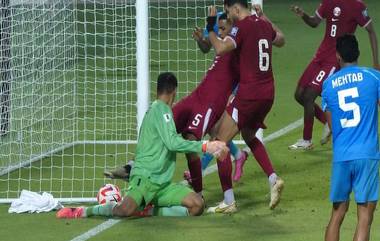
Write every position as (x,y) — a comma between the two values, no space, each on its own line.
(111,222)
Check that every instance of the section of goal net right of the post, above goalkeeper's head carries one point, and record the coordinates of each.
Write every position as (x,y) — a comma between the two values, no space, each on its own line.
(171,45)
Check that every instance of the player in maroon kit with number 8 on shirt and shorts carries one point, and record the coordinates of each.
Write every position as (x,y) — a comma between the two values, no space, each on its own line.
(342,16)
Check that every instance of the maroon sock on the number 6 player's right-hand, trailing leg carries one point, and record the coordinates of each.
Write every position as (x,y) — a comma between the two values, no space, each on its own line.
(261,156)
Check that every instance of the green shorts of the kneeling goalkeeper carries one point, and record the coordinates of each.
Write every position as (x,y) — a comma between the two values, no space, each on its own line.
(143,191)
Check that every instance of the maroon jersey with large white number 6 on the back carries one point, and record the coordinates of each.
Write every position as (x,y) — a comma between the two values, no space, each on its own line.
(253,38)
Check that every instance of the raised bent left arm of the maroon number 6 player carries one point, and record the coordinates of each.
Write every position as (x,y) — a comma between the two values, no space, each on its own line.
(220,46)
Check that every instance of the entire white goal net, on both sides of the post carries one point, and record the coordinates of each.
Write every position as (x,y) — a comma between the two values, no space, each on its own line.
(68,89)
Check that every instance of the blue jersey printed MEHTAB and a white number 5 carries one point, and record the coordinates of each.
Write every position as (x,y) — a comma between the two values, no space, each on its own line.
(352,95)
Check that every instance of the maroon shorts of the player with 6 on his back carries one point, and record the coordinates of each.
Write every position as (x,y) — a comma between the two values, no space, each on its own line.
(249,113)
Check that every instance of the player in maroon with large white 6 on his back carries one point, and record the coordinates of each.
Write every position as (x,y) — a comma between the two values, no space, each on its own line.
(251,41)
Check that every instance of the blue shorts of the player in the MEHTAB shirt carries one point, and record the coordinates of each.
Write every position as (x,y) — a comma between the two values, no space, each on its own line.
(360,176)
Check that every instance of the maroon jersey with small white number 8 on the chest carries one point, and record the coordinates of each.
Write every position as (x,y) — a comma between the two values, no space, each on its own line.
(342,16)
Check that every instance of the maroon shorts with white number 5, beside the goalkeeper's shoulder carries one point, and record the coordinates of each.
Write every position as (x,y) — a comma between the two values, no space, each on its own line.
(193,117)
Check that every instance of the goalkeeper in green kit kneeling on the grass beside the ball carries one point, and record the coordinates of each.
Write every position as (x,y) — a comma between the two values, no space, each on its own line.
(154,166)
